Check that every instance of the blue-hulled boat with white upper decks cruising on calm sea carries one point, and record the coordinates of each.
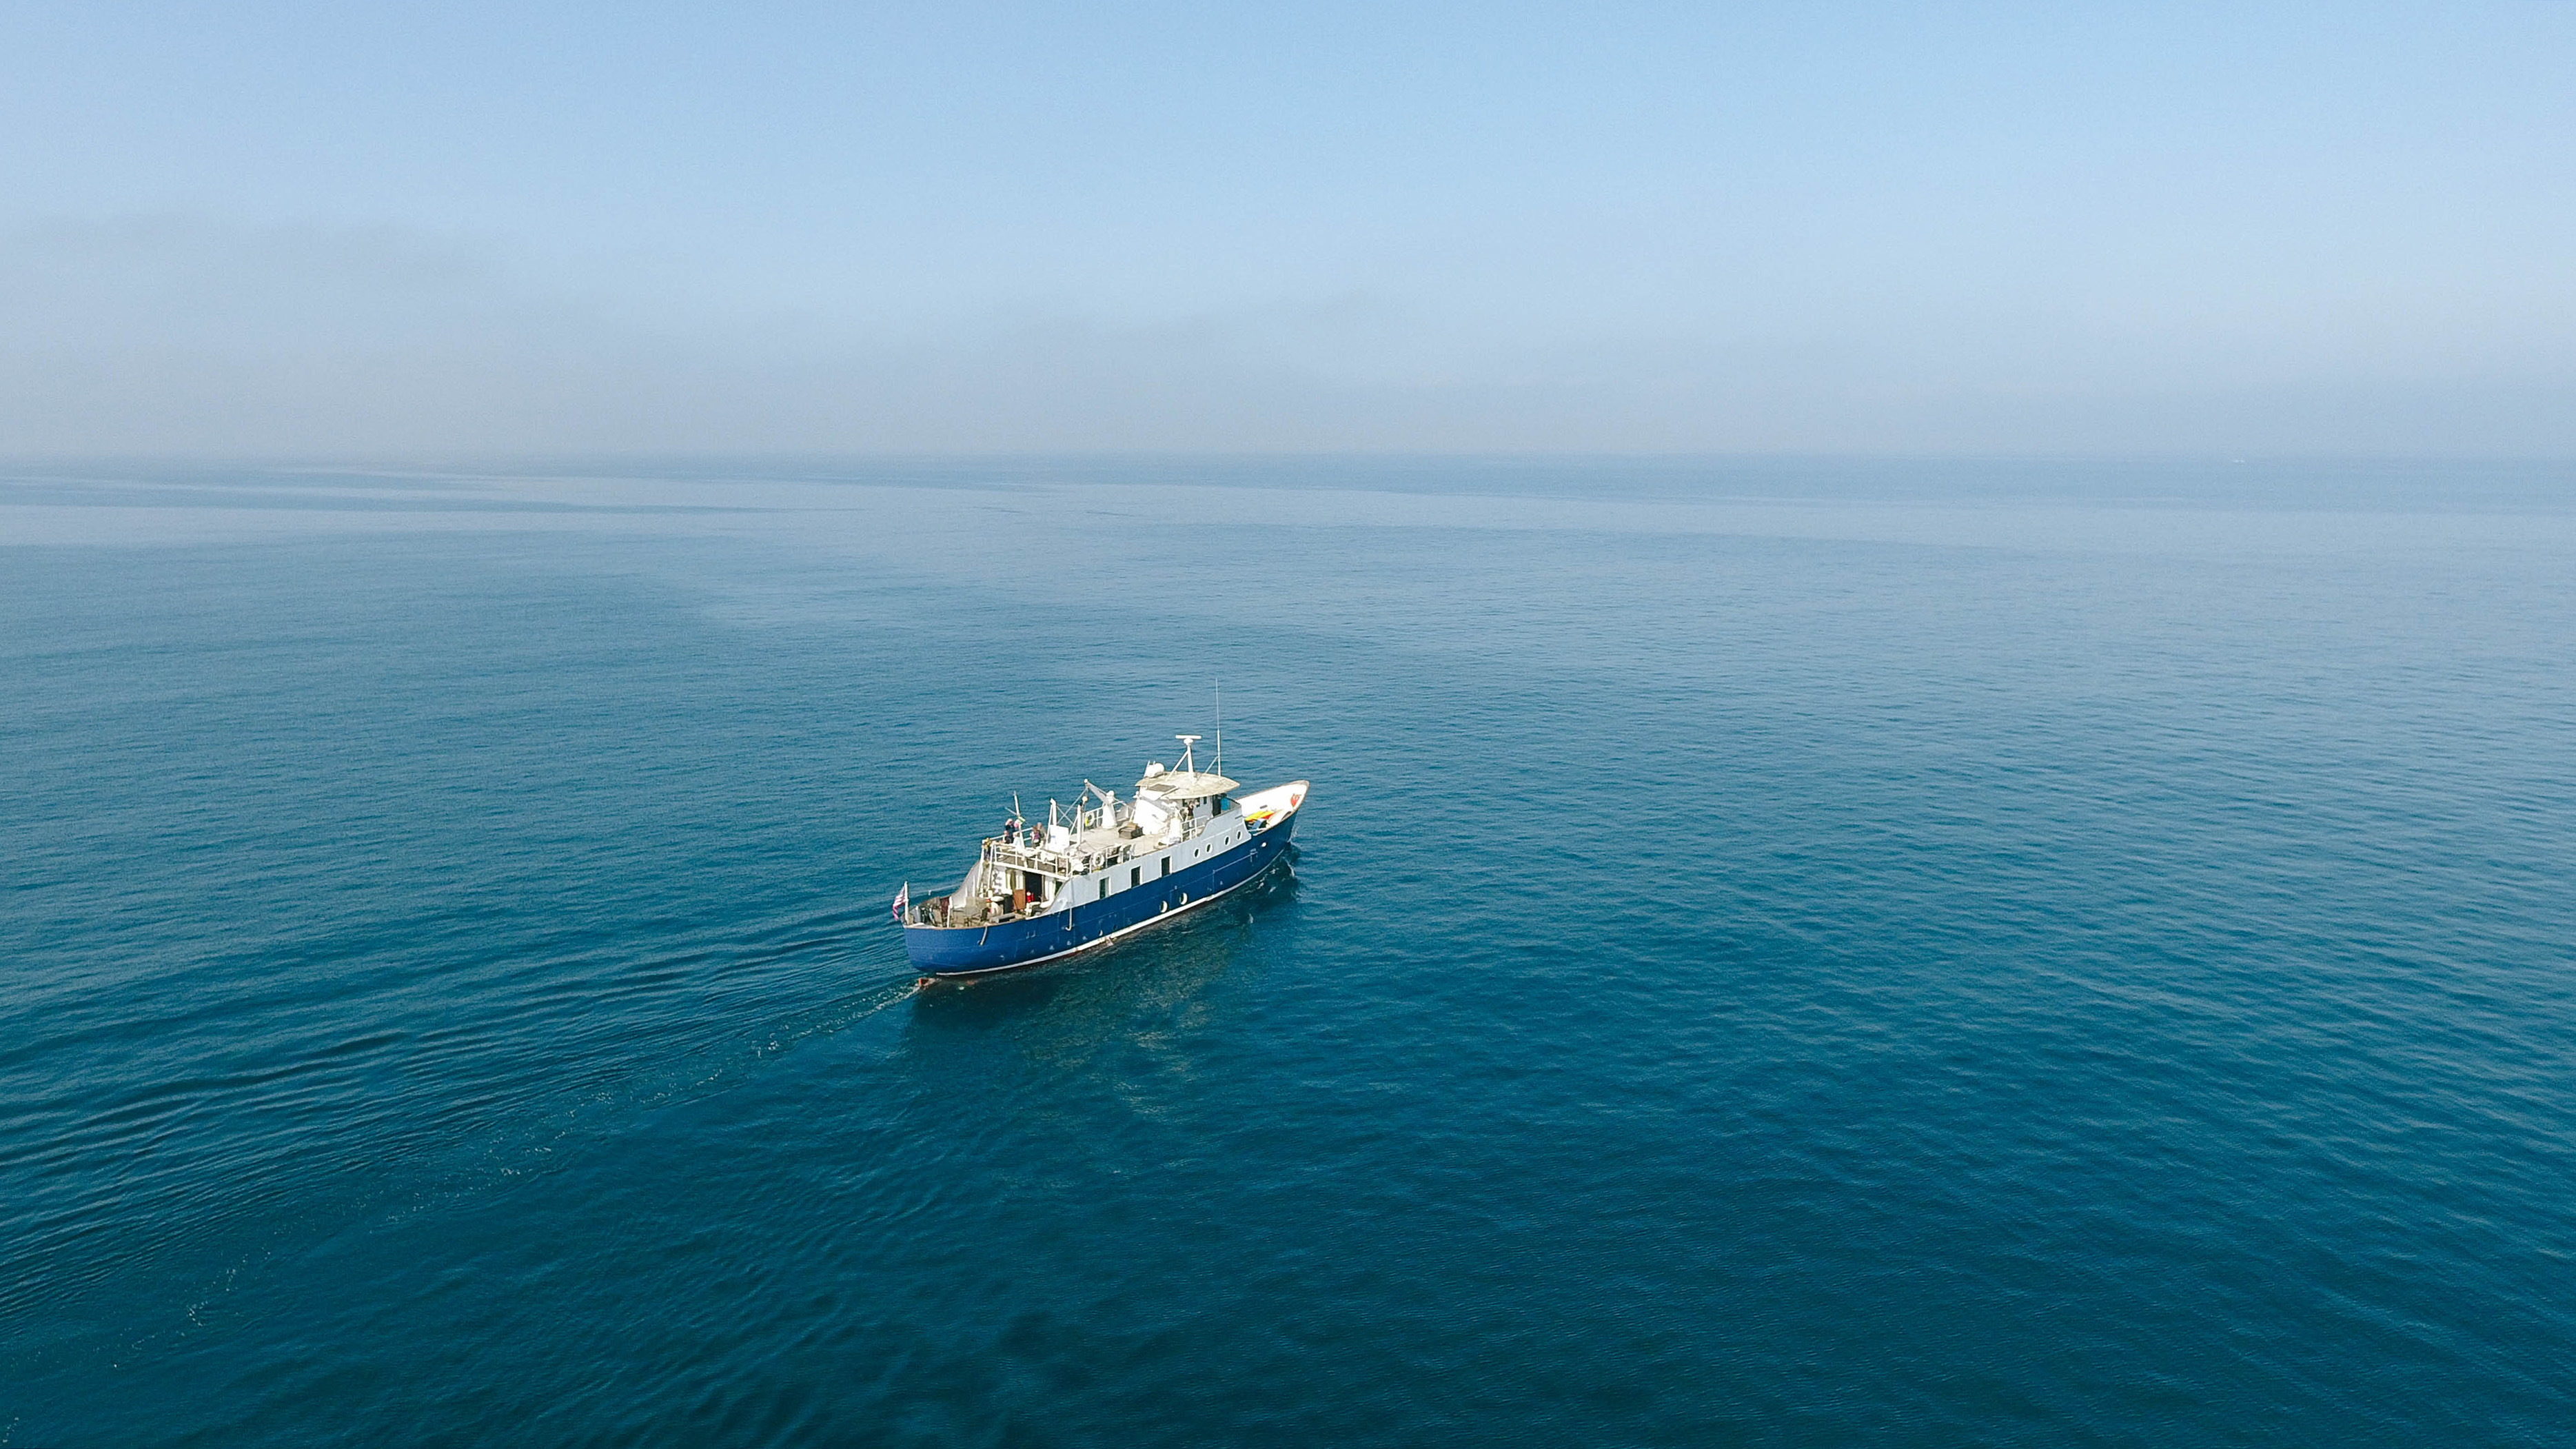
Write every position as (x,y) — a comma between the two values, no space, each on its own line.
(1101,870)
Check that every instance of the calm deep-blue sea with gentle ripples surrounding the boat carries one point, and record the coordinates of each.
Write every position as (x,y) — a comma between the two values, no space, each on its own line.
(1776,955)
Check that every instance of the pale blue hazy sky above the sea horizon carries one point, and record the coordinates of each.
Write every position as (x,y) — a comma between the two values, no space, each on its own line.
(1434,228)
